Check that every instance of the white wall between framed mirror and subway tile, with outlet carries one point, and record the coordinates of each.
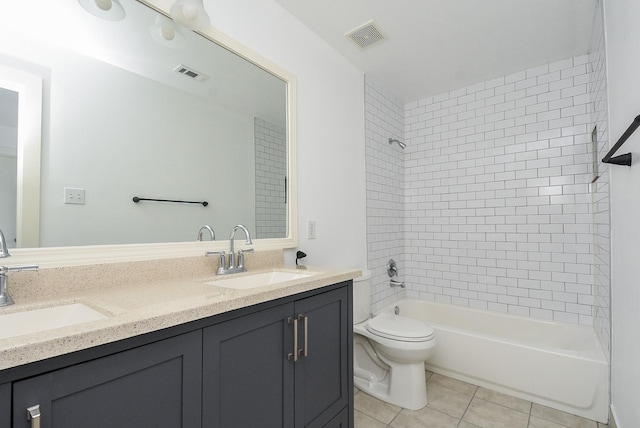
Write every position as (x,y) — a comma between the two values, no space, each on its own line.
(331,178)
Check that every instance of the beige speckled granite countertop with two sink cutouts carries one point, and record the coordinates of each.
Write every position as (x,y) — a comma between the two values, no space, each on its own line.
(135,308)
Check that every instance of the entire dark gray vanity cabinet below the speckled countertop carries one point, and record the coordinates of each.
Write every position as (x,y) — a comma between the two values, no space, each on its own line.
(229,370)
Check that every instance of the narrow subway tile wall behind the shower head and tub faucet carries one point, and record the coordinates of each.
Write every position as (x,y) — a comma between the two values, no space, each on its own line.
(384,119)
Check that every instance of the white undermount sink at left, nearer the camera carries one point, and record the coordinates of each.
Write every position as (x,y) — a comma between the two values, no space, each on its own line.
(35,320)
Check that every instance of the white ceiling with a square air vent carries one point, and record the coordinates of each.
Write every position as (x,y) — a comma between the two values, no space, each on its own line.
(435,46)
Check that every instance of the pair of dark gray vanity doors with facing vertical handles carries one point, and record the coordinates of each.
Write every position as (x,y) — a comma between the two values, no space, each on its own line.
(250,378)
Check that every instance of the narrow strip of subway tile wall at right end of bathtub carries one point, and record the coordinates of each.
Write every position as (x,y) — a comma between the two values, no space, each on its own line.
(600,190)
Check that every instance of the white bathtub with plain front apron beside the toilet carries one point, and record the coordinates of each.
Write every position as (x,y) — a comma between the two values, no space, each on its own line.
(559,365)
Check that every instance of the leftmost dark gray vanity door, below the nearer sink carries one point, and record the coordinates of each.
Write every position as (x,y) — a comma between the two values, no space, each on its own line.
(156,385)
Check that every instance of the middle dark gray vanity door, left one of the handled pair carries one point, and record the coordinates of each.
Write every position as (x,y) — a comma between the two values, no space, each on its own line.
(247,379)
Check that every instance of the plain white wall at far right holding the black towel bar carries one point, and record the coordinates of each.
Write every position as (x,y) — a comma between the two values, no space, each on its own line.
(623,66)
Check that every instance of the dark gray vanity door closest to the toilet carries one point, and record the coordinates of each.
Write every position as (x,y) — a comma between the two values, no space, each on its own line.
(322,377)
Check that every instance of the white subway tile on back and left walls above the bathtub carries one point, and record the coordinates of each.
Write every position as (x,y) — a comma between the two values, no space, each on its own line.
(496,198)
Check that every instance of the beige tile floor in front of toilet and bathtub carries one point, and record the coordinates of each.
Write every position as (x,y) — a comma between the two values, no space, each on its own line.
(456,404)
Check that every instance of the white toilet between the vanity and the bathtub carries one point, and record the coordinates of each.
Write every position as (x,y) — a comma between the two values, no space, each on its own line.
(389,352)
